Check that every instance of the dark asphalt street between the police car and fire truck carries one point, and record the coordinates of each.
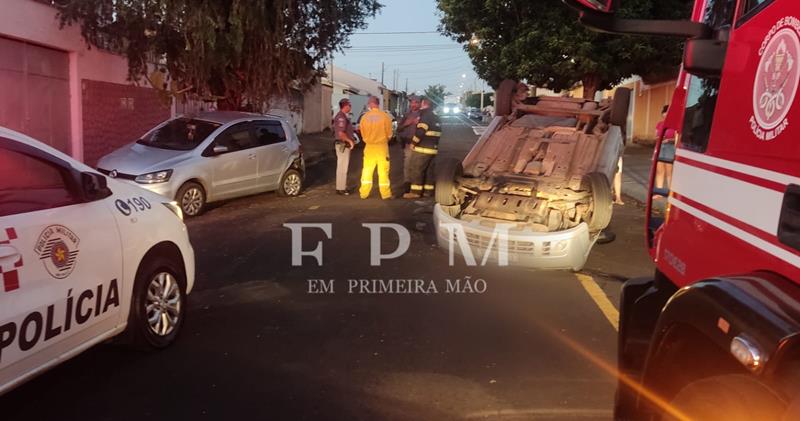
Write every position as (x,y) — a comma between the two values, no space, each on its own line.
(258,345)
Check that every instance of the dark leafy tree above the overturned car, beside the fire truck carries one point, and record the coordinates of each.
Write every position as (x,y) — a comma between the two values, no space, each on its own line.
(543,43)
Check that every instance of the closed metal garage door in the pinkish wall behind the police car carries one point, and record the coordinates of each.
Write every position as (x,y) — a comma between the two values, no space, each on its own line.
(34,92)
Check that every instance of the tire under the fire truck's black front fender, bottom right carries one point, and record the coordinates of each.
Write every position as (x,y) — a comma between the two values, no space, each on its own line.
(732,397)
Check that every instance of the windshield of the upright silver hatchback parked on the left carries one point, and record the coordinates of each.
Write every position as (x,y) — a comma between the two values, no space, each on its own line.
(181,134)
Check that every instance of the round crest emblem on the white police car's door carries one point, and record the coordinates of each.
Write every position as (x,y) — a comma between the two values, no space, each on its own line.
(57,248)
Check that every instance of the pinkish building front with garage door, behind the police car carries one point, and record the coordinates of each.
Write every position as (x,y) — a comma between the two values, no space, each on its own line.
(61,92)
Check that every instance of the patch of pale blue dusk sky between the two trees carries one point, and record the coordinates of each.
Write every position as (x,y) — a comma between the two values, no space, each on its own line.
(424,58)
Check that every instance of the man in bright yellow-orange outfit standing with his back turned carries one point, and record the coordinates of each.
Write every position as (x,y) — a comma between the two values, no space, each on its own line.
(376,130)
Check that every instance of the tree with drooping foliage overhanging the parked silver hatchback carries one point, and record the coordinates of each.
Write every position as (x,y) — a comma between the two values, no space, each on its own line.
(243,52)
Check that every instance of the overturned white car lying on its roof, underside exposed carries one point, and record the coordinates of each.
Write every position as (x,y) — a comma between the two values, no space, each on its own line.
(542,172)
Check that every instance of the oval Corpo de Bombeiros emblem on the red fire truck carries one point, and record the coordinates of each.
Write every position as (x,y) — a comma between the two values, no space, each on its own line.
(776,81)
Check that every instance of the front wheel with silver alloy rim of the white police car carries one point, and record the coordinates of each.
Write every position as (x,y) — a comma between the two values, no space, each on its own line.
(158,305)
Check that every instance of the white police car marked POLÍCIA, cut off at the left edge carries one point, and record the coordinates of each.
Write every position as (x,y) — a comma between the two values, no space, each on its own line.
(82,259)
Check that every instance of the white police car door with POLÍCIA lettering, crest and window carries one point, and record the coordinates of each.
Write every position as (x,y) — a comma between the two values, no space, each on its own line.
(60,261)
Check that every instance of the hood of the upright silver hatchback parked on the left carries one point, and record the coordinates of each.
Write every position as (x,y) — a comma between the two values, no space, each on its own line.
(137,159)
